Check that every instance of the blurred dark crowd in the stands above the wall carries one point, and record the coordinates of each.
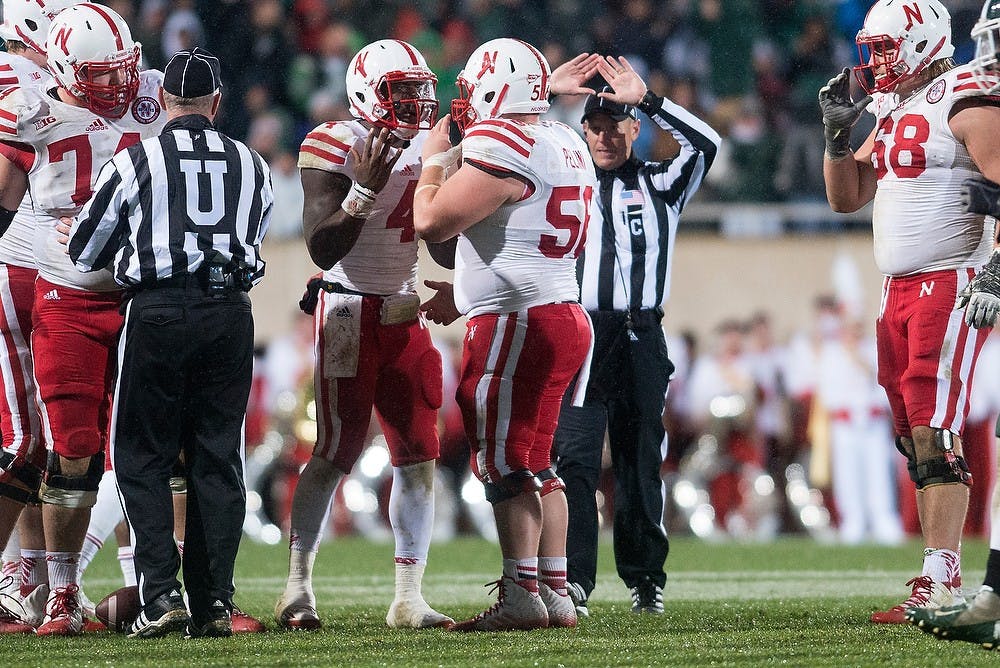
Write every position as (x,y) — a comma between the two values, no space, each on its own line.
(750,67)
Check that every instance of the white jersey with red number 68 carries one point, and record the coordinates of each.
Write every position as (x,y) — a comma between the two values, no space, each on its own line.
(919,223)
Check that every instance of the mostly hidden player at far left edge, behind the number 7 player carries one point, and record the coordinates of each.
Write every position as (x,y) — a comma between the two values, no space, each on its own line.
(22,459)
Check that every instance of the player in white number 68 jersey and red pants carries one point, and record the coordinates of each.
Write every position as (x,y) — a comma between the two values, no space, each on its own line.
(933,129)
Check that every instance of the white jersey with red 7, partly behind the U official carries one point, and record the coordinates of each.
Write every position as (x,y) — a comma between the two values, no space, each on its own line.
(62,148)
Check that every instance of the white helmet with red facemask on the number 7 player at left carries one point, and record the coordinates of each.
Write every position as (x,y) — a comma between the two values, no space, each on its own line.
(91,54)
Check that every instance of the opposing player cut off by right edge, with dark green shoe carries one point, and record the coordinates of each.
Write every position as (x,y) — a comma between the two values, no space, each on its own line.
(979,620)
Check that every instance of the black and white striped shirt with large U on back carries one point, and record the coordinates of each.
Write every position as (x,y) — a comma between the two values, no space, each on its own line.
(163,204)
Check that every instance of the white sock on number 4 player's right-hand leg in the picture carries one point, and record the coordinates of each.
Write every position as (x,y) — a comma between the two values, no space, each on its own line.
(411,510)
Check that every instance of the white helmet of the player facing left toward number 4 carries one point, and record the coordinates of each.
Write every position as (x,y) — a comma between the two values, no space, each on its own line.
(503,76)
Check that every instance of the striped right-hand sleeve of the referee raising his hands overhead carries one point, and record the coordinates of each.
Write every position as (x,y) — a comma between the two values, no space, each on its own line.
(679,178)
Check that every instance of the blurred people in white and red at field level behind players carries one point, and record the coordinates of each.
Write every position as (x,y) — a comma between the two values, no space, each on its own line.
(753,420)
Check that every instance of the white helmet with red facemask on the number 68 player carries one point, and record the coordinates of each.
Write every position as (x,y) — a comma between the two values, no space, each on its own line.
(899,39)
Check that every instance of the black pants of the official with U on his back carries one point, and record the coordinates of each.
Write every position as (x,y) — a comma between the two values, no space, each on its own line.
(185,365)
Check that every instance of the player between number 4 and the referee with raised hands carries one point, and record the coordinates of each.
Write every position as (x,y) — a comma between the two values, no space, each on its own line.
(519,205)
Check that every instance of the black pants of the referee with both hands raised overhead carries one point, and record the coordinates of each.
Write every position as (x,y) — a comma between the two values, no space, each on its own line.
(628,381)
